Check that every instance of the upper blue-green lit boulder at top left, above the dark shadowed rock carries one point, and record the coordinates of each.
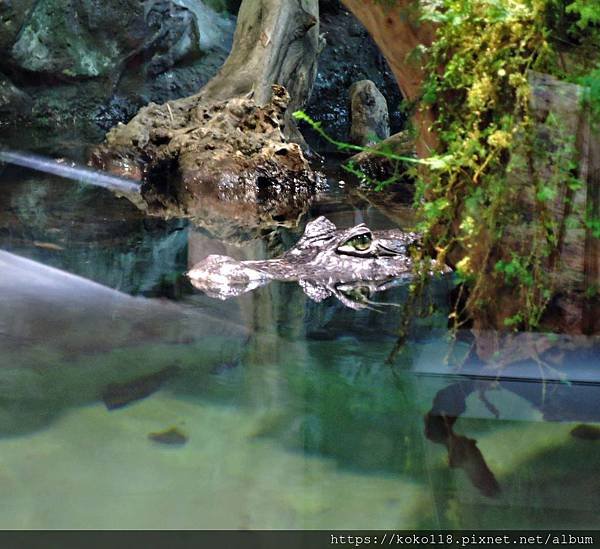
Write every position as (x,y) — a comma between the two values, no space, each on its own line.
(91,39)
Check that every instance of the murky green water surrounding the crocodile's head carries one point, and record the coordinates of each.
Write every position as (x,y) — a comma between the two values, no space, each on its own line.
(170,409)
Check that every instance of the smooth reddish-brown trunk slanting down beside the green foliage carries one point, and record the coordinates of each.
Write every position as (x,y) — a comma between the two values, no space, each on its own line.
(397,32)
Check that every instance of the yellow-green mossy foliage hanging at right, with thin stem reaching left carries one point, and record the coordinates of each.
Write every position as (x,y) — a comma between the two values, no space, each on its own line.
(487,198)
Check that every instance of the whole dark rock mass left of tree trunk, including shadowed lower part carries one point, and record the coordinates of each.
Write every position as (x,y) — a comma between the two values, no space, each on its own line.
(103,60)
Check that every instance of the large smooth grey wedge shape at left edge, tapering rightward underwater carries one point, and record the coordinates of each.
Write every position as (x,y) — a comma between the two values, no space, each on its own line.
(67,341)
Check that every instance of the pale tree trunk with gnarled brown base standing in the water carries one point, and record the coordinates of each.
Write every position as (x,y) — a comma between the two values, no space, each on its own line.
(232,145)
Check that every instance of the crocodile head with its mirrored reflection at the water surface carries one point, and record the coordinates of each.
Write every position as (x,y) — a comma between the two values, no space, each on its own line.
(351,264)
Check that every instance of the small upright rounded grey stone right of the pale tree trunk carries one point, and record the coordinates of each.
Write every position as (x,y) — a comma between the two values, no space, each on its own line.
(370,119)
